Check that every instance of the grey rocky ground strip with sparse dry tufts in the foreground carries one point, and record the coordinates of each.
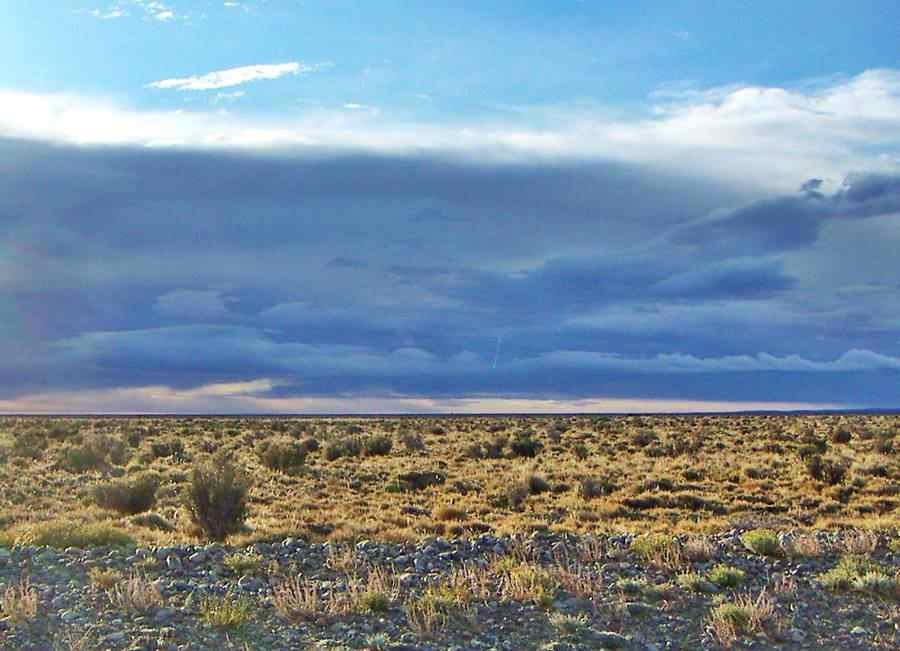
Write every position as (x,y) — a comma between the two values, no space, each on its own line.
(623,599)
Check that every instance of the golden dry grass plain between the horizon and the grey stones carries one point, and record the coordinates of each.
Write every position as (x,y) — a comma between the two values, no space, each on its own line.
(673,474)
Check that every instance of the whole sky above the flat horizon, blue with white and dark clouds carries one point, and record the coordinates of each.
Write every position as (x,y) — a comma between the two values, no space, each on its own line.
(326,206)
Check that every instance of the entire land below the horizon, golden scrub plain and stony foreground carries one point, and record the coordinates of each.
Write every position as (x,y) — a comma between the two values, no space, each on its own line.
(496,533)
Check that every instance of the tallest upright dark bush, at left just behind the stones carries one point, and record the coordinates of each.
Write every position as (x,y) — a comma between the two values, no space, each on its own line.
(217,498)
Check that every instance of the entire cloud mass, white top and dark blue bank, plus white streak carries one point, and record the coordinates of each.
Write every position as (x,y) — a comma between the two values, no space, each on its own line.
(341,260)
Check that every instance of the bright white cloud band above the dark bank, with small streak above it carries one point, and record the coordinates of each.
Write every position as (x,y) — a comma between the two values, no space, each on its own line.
(772,139)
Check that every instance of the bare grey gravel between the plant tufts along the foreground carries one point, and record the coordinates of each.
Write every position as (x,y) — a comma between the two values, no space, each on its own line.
(623,614)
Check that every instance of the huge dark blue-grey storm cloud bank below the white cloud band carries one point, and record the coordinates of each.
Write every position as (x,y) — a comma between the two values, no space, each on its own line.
(340,272)
